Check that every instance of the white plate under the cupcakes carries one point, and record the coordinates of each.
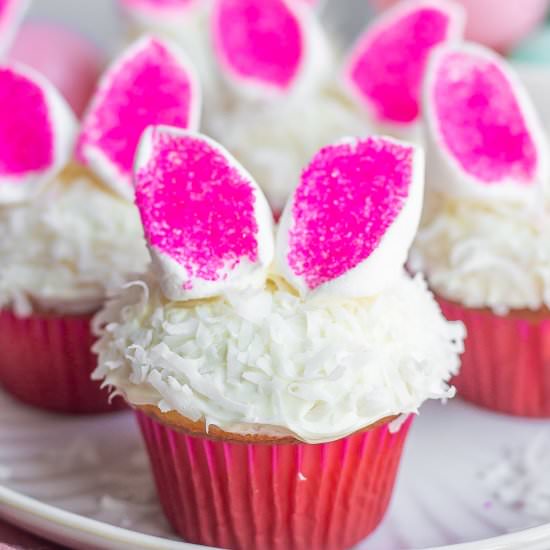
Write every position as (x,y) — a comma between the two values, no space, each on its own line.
(91,487)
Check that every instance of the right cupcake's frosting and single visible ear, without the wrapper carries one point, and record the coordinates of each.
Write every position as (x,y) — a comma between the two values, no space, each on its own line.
(485,233)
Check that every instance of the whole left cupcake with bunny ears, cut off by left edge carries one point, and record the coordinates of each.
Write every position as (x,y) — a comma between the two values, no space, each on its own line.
(69,228)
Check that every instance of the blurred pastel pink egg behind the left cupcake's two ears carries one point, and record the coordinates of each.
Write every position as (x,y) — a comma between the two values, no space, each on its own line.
(68,60)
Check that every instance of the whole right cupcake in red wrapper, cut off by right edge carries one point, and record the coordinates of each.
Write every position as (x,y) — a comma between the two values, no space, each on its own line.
(484,241)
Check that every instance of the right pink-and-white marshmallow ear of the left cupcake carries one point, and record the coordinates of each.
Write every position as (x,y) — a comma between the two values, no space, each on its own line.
(151,83)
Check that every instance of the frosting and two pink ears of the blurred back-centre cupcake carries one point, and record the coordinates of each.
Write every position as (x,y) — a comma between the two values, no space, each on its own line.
(376,88)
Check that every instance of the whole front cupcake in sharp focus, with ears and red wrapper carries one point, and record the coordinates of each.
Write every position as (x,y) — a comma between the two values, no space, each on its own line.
(265,371)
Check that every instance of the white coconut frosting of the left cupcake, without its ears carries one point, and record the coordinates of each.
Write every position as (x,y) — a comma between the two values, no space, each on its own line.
(67,247)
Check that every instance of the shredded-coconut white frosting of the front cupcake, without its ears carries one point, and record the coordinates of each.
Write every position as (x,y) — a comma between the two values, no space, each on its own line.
(268,361)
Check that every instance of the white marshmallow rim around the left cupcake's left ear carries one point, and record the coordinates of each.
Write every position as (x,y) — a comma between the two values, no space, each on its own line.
(62,125)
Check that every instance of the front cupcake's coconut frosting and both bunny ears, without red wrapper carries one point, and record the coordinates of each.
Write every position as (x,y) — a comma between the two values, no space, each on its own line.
(307,334)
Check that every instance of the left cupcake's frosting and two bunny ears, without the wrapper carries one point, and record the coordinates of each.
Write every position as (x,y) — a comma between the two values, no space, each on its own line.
(70,230)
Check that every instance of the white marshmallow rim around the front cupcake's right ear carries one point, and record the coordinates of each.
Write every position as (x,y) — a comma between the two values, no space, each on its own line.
(383,266)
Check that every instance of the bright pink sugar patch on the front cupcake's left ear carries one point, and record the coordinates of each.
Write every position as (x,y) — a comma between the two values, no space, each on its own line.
(196,207)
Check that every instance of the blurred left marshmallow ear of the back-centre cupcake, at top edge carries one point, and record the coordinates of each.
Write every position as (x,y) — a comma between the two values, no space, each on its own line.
(267,47)
